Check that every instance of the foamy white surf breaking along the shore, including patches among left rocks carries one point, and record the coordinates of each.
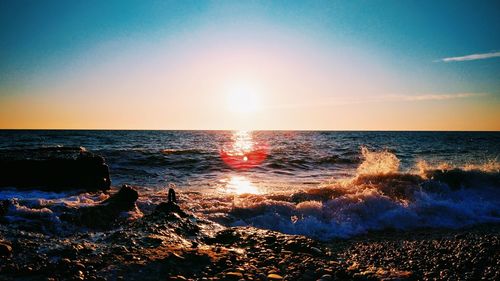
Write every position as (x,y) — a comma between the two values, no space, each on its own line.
(379,196)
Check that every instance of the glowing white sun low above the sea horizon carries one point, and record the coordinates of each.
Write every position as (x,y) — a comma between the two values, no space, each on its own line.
(243,99)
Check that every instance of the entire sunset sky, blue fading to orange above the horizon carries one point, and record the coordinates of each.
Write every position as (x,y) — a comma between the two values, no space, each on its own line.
(272,65)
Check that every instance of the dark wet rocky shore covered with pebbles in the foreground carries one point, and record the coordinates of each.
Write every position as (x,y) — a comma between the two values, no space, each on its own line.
(170,244)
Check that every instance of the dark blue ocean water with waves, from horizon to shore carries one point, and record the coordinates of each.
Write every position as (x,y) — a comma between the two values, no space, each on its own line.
(321,184)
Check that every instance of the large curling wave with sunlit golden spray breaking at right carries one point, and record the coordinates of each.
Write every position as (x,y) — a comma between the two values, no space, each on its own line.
(378,197)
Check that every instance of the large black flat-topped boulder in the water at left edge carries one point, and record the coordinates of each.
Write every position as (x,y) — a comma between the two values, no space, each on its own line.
(54,169)
